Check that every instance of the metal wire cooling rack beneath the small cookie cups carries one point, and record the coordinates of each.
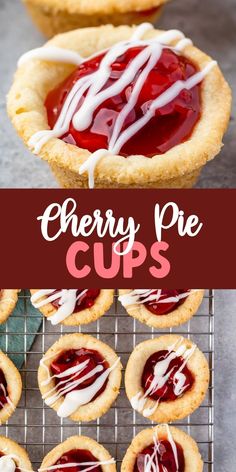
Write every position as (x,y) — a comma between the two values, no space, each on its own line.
(38,428)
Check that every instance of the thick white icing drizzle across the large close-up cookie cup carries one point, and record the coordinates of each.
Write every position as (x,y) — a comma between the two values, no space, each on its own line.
(94,82)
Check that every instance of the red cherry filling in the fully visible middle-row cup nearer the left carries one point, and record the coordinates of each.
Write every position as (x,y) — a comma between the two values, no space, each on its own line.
(74,357)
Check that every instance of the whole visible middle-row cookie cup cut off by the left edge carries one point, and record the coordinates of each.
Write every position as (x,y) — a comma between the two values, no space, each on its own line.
(10,387)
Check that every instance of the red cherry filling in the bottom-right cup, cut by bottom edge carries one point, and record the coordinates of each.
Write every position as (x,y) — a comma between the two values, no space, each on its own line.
(164,455)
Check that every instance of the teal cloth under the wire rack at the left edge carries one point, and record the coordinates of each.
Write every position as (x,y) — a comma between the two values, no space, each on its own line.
(24,319)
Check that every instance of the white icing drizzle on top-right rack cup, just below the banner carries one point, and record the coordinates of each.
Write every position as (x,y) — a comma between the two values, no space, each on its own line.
(140,296)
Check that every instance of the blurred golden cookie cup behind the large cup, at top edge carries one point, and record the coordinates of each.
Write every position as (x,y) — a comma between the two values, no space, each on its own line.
(58,16)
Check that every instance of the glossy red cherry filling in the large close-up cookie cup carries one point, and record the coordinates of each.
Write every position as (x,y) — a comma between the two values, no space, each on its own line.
(172,124)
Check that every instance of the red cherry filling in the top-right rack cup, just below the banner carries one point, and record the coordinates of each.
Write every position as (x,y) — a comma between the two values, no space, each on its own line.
(158,308)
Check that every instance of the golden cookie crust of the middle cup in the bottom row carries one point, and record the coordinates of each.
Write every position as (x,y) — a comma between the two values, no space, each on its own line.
(79,442)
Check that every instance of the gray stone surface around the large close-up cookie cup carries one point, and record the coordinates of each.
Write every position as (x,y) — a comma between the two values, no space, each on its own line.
(210,23)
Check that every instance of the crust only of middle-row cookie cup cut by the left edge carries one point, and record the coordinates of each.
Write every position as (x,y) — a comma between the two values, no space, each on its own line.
(14,386)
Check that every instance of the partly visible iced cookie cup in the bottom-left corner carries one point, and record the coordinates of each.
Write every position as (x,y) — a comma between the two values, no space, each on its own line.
(13,457)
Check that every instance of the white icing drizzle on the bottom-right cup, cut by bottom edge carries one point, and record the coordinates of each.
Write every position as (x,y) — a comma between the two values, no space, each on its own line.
(151,462)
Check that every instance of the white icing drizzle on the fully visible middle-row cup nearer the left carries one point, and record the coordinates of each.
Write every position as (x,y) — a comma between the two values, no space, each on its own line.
(73,399)
